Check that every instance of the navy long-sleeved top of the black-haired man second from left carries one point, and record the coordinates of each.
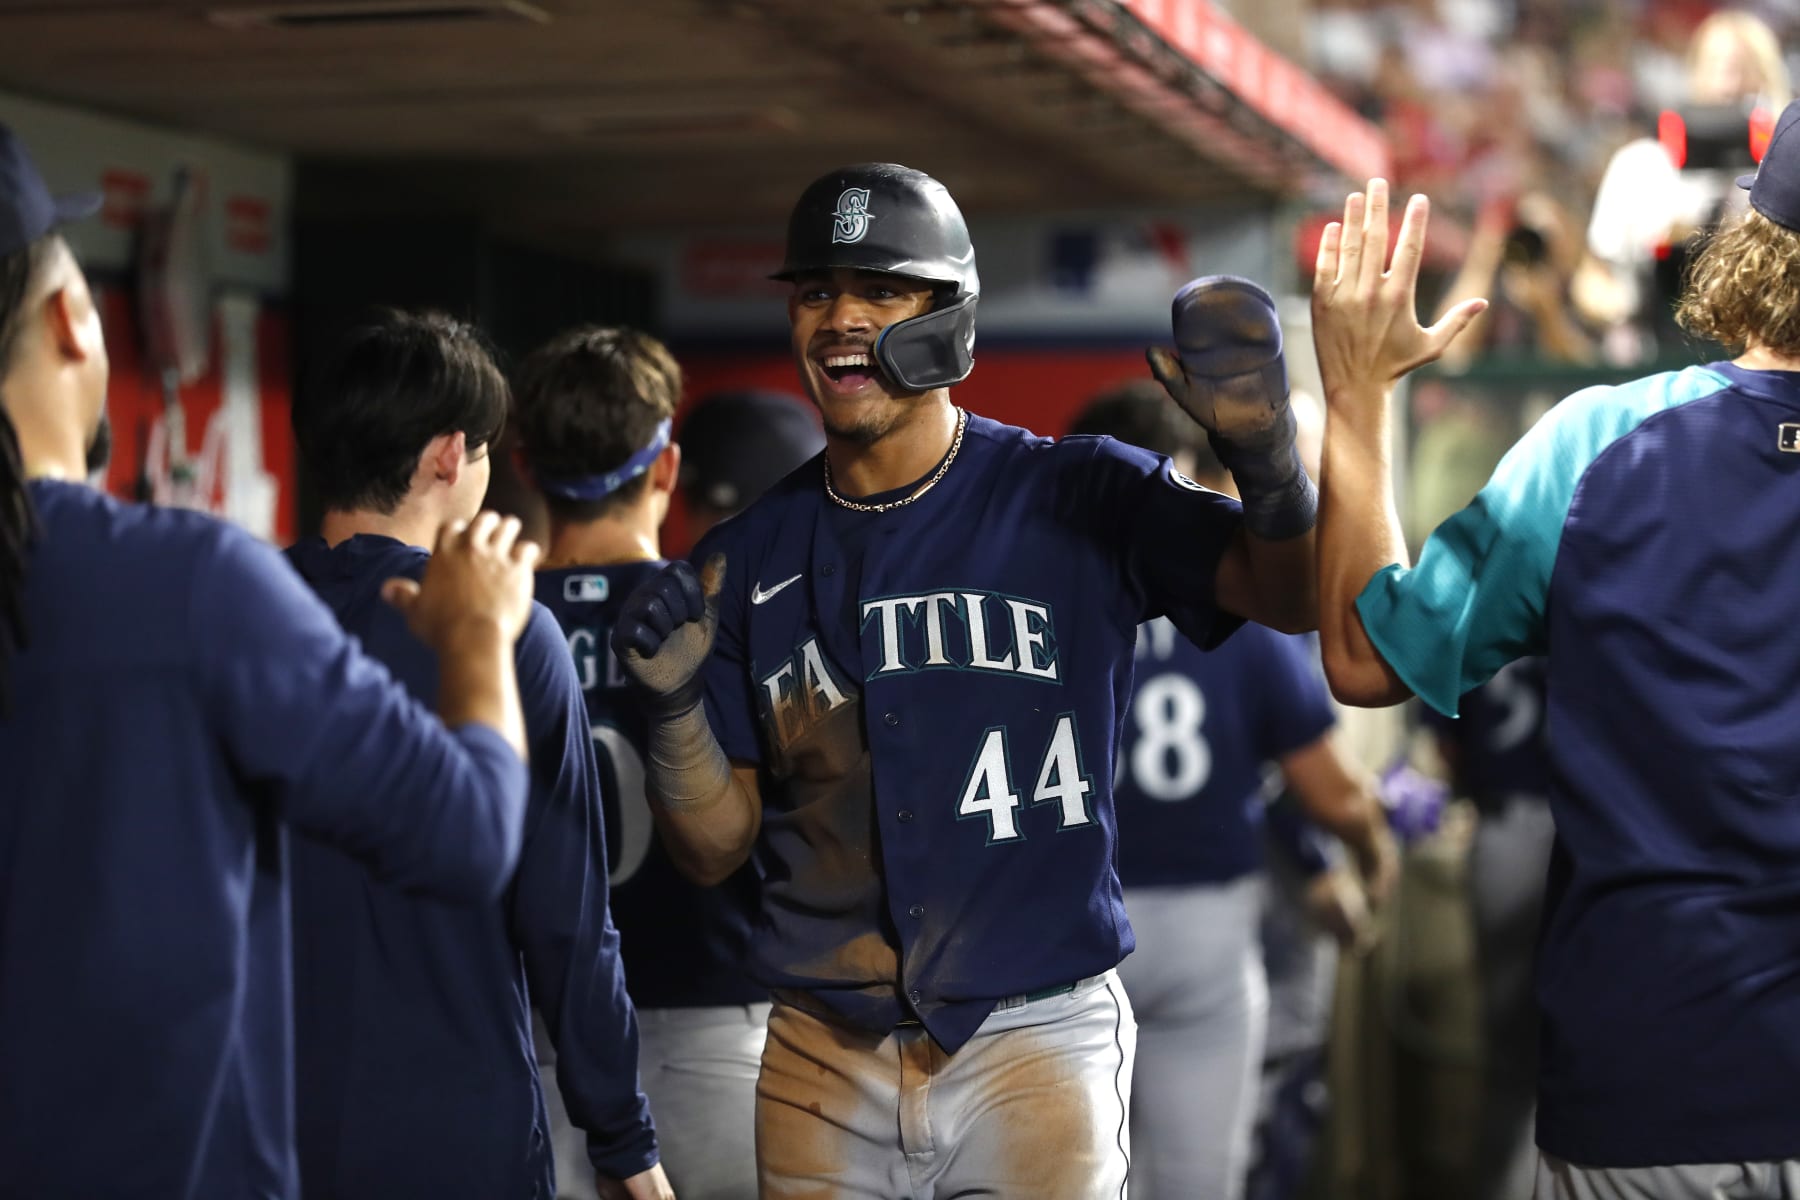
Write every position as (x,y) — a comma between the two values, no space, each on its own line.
(417,1068)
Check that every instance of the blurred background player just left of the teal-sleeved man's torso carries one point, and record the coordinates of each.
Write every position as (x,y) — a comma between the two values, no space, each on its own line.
(1498,757)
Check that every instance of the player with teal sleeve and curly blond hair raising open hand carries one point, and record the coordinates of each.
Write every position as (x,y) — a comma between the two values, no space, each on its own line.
(1642,539)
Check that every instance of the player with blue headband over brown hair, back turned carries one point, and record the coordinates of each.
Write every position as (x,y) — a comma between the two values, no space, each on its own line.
(595,409)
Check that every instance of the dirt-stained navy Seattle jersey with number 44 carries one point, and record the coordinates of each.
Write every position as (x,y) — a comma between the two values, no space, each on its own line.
(935,695)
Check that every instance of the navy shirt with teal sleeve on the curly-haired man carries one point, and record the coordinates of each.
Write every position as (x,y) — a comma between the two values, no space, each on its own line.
(1642,539)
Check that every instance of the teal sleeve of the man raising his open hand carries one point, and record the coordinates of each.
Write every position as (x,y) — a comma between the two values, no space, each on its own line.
(1477,598)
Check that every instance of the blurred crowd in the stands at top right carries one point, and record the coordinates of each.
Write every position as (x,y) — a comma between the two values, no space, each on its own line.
(1534,123)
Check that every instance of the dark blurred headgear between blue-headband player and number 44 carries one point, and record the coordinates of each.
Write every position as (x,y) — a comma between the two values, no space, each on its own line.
(739,445)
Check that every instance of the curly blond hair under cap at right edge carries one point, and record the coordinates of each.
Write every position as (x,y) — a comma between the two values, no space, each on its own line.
(1743,287)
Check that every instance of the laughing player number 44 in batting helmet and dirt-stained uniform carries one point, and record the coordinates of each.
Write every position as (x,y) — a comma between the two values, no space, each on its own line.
(924,645)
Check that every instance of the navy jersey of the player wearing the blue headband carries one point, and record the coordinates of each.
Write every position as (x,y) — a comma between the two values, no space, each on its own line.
(685,945)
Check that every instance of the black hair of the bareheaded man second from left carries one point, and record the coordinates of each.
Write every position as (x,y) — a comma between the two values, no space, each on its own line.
(393,384)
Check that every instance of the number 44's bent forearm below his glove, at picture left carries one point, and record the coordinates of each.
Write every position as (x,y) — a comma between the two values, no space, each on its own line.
(706,816)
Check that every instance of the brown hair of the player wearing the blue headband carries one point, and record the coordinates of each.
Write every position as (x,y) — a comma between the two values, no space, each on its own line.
(588,402)
